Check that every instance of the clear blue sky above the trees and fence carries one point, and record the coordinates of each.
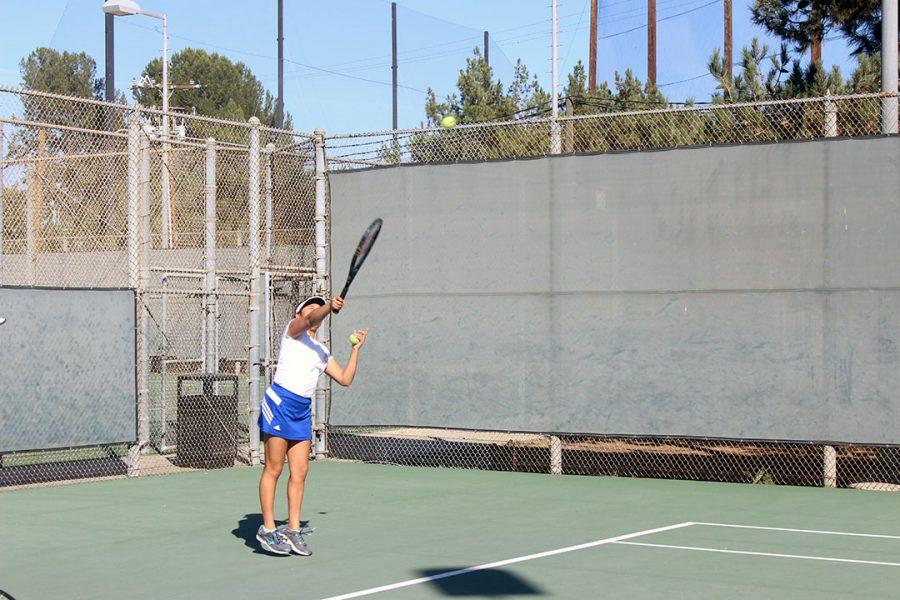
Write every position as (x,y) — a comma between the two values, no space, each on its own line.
(338,52)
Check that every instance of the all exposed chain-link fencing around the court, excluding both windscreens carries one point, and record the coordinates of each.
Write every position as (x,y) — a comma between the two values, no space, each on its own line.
(221,226)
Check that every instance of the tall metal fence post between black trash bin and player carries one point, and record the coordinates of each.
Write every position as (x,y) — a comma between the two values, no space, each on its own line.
(253,251)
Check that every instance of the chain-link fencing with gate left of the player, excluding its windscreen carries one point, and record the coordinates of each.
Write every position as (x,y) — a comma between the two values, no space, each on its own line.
(97,195)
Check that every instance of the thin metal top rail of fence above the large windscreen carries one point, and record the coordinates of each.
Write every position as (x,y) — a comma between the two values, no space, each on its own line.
(613,115)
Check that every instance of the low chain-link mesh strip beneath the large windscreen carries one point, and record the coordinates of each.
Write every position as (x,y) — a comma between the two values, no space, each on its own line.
(704,459)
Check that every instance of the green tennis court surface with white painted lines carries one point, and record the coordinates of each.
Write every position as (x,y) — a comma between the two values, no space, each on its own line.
(403,532)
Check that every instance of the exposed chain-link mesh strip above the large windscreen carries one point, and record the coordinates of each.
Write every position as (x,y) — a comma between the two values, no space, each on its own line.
(657,129)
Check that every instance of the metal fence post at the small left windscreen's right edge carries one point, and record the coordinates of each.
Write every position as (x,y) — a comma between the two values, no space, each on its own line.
(131,249)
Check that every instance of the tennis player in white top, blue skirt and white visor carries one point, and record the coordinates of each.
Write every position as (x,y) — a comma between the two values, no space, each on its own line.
(284,417)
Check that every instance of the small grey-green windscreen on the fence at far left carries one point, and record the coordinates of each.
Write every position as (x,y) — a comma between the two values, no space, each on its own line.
(67,368)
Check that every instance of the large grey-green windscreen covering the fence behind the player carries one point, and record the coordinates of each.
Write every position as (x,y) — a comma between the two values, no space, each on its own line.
(744,292)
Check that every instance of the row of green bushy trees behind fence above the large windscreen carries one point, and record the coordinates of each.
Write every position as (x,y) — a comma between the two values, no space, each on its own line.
(629,114)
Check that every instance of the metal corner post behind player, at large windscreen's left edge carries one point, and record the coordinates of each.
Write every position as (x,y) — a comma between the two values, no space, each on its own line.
(323,394)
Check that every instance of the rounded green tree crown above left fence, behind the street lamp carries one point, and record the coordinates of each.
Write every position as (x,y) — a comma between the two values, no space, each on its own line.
(230,90)
